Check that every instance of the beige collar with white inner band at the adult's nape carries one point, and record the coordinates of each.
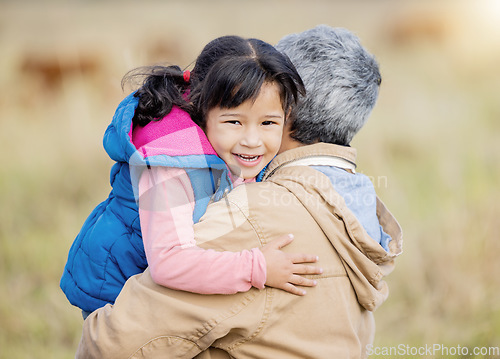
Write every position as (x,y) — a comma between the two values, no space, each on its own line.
(316,154)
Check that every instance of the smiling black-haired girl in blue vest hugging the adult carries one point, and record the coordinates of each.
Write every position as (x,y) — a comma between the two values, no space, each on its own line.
(240,92)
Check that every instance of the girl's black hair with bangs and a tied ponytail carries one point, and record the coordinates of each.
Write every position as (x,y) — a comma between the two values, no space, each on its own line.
(229,71)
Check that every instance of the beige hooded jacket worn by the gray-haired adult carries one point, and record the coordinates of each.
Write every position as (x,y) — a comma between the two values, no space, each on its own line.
(334,319)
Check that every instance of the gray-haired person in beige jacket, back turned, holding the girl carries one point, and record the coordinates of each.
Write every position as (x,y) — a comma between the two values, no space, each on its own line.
(305,192)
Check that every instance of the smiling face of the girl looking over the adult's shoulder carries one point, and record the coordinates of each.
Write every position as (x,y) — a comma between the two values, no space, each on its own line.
(247,137)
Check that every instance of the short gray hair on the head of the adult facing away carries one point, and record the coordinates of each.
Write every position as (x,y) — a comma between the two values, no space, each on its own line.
(342,81)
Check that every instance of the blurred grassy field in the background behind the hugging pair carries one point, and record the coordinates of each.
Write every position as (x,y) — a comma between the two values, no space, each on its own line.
(432,147)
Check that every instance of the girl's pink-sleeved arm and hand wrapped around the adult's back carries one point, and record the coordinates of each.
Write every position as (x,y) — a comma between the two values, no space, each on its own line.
(166,205)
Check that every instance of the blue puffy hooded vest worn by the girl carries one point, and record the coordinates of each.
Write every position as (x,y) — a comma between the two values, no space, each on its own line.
(109,249)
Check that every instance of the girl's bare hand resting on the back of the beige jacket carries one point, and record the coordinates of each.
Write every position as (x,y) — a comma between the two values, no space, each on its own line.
(285,270)
